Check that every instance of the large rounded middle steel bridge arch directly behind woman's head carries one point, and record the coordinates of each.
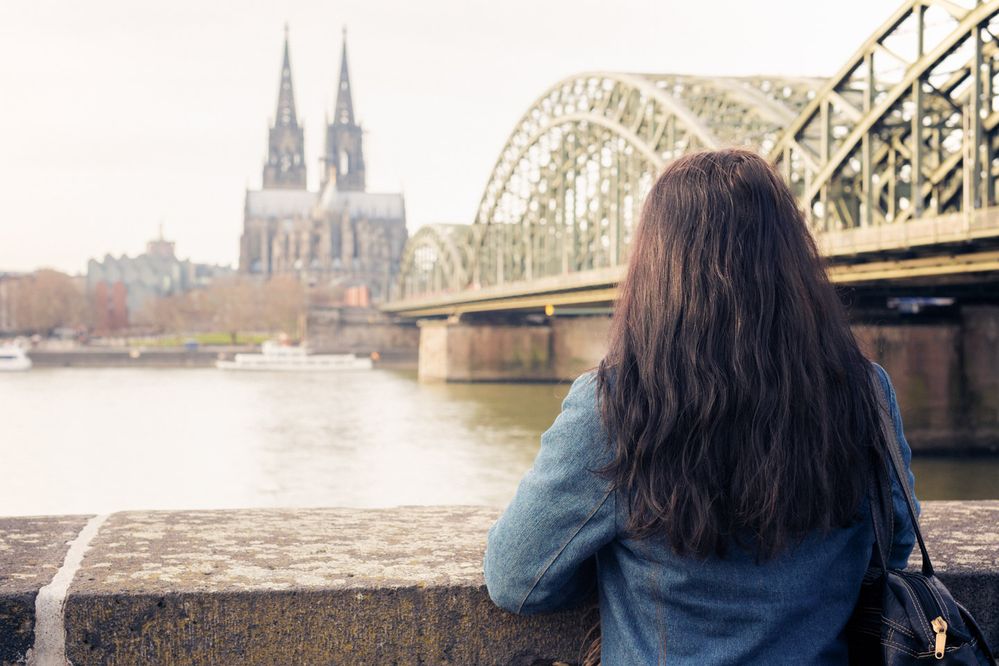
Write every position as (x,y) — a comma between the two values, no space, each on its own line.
(565,192)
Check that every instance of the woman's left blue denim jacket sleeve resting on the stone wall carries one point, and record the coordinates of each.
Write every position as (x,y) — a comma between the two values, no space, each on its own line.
(539,554)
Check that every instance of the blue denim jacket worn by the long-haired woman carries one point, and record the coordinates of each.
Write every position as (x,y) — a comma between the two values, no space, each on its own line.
(562,533)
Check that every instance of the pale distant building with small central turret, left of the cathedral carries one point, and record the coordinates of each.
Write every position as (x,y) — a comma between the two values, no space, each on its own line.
(120,287)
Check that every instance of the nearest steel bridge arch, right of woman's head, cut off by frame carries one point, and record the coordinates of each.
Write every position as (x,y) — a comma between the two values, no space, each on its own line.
(906,127)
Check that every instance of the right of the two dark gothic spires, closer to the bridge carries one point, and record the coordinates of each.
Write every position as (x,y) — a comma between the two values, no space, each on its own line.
(344,158)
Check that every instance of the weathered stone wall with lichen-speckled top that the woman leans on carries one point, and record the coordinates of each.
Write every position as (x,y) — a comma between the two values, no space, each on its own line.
(337,586)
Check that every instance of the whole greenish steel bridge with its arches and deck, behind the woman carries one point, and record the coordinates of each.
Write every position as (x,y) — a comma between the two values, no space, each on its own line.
(892,157)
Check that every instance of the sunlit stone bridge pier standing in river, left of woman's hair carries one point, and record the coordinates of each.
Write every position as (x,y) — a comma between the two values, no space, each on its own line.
(467,351)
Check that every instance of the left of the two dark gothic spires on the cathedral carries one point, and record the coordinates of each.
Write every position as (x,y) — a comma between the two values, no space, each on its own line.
(285,167)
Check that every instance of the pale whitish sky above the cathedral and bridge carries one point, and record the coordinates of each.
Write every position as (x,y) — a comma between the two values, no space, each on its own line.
(118,115)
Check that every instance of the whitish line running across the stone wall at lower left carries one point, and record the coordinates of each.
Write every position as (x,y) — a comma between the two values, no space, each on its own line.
(50,621)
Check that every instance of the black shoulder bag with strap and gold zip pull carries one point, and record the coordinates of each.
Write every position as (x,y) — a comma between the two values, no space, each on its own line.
(904,617)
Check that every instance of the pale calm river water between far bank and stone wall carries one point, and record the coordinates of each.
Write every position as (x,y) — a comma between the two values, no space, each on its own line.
(96,440)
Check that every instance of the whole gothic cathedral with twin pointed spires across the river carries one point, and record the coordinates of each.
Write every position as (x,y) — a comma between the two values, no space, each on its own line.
(342,235)
